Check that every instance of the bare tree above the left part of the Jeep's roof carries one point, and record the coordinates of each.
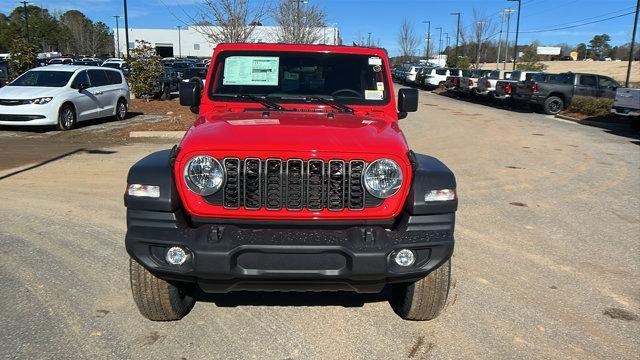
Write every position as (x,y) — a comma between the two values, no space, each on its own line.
(235,20)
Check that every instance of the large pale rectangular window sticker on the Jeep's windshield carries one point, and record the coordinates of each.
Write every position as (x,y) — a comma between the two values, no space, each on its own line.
(251,70)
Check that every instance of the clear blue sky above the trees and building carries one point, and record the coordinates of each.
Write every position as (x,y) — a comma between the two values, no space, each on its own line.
(547,21)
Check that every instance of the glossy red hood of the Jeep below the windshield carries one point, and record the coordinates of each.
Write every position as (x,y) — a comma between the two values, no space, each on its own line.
(295,131)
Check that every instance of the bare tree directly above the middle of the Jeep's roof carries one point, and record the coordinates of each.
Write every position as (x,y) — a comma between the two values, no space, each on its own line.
(298,23)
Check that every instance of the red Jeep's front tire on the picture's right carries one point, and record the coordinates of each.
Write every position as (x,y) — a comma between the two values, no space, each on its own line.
(425,298)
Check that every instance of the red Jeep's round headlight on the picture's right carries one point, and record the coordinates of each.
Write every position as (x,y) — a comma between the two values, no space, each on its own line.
(383,178)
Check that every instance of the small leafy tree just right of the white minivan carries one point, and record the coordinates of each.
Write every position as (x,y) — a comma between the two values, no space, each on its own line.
(145,69)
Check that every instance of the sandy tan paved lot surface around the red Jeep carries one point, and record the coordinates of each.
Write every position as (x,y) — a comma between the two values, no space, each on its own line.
(546,264)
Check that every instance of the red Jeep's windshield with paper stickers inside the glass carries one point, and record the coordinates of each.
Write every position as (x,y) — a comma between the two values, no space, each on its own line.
(291,76)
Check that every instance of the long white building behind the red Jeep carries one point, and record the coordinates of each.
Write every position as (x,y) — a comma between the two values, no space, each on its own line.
(189,42)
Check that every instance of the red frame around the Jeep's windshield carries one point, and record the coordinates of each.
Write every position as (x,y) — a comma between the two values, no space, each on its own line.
(218,69)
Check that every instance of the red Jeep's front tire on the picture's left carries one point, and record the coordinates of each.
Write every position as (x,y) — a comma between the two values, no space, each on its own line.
(157,299)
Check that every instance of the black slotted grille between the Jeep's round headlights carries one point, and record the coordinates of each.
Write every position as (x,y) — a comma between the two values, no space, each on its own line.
(293,184)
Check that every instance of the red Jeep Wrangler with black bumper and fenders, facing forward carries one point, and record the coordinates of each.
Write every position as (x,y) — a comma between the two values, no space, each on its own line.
(295,177)
